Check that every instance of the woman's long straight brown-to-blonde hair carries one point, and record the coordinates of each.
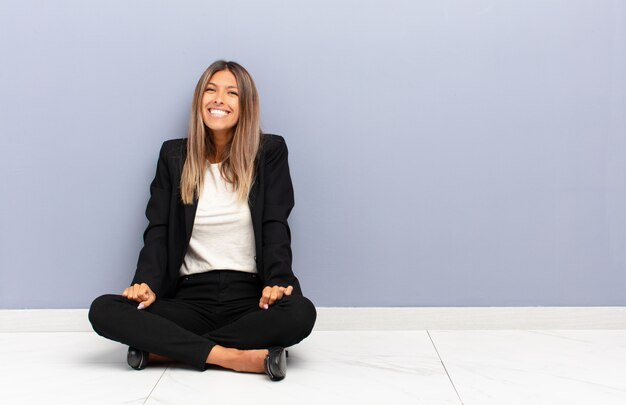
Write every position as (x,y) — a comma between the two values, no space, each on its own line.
(239,155)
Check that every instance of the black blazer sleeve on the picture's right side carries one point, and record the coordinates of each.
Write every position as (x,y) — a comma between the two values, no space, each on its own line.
(279,201)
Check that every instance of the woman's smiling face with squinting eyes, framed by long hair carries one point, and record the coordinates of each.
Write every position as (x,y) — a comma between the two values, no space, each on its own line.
(220,102)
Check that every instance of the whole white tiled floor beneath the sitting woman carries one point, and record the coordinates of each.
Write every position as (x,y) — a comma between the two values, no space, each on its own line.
(360,367)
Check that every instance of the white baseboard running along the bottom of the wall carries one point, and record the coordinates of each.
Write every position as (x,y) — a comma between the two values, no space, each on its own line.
(329,319)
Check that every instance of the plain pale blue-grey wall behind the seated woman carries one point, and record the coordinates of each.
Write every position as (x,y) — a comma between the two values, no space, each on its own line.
(444,153)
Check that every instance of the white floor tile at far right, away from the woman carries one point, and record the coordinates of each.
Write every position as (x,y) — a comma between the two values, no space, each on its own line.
(535,367)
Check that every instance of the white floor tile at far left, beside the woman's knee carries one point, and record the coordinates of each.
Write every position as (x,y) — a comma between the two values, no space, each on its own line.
(69,368)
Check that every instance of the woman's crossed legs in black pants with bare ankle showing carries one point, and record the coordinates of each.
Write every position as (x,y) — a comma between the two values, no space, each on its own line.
(233,335)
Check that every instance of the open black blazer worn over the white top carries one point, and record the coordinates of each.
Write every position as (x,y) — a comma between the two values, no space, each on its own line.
(170,221)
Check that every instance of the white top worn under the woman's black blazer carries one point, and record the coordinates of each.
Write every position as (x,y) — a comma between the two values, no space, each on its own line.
(222,237)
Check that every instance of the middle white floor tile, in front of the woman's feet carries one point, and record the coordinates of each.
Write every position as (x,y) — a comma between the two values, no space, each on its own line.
(332,367)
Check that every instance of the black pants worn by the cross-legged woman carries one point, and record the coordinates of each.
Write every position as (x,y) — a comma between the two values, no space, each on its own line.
(213,308)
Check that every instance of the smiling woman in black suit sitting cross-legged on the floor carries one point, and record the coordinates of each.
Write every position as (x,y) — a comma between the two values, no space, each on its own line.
(214,283)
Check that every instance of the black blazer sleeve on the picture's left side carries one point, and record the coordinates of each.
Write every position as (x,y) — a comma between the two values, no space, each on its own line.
(152,262)
